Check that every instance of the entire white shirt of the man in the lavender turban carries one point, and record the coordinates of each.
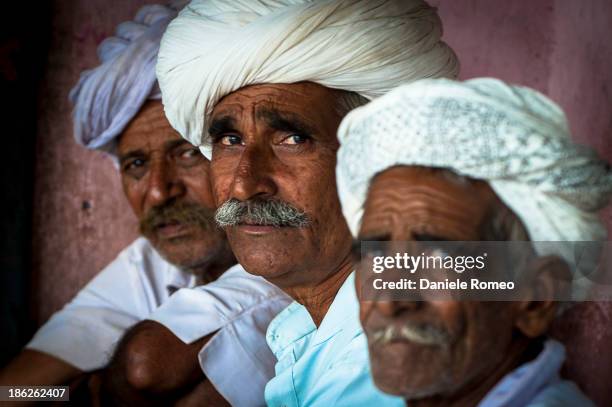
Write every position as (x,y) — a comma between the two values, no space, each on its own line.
(238,306)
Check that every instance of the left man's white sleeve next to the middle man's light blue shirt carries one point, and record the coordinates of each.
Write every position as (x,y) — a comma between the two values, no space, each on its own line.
(239,307)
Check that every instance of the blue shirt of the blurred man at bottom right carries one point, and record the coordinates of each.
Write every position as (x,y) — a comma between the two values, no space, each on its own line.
(537,384)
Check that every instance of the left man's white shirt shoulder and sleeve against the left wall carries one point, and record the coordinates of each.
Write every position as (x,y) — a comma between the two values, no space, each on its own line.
(84,333)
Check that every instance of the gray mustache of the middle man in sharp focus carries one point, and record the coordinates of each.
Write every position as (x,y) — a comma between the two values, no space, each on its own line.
(260,212)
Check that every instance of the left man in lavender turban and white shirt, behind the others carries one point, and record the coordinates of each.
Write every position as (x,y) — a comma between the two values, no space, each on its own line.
(117,110)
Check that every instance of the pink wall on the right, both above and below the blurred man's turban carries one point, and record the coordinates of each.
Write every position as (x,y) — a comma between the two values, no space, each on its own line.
(561,48)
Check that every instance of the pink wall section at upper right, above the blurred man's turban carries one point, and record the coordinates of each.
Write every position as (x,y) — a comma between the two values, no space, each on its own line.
(559,47)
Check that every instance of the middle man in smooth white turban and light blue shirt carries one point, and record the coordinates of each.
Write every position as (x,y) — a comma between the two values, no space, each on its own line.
(261,86)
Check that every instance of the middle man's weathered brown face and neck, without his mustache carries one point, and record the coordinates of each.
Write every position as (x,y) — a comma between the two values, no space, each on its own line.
(279,142)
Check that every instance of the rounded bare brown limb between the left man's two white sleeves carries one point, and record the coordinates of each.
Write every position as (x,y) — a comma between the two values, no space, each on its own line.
(151,366)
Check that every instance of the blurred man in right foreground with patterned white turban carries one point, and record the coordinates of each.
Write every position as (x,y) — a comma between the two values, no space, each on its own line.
(472,161)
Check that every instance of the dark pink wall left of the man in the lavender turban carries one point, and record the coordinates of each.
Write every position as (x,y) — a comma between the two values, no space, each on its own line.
(81,218)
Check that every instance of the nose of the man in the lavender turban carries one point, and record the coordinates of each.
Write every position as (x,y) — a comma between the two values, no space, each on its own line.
(164,183)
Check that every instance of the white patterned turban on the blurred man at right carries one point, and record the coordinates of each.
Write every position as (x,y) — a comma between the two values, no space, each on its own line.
(513,137)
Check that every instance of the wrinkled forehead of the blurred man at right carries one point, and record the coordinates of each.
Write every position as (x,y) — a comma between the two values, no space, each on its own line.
(431,199)
